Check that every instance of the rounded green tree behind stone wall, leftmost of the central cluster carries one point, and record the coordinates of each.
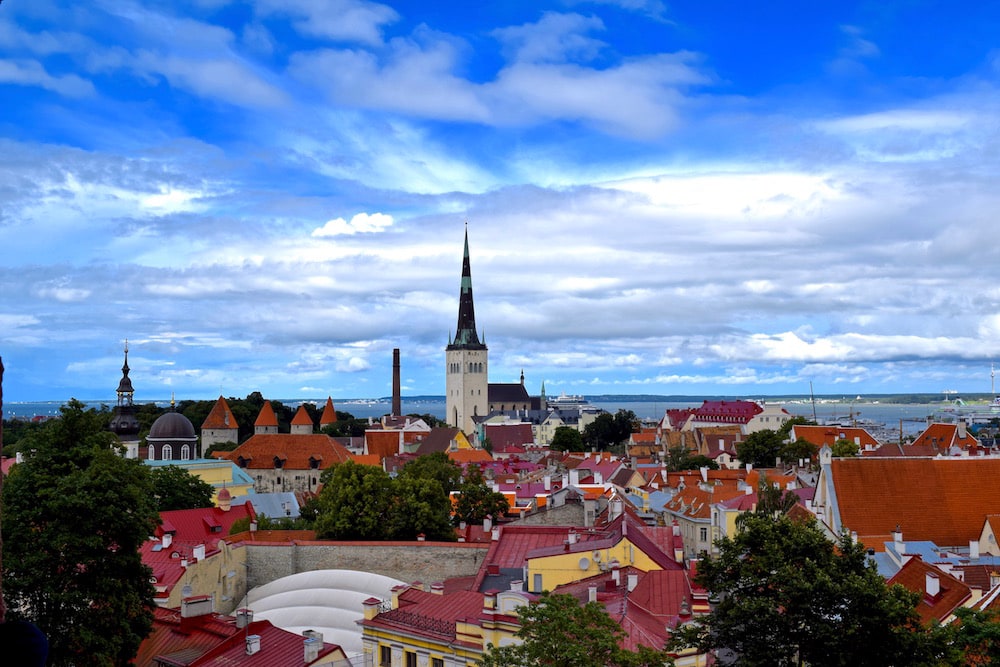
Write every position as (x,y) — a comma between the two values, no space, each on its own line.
(355,504)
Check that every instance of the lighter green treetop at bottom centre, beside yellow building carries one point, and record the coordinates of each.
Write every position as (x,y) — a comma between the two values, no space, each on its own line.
(557,631)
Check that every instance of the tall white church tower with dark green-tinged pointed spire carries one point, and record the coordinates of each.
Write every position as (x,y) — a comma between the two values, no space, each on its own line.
(466,361)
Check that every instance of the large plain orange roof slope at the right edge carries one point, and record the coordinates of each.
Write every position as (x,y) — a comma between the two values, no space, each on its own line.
(943,500)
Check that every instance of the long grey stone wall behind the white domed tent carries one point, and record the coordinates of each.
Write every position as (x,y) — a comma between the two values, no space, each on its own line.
(427,562)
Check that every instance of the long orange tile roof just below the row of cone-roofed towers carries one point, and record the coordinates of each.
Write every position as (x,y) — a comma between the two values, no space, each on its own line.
(294,450)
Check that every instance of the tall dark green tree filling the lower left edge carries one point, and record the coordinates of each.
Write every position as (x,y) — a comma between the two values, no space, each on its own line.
(75,515)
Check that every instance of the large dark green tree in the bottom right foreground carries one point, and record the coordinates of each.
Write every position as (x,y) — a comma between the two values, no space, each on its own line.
(786,595)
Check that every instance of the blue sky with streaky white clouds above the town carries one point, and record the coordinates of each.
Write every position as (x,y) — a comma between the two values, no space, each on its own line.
(684,198)
